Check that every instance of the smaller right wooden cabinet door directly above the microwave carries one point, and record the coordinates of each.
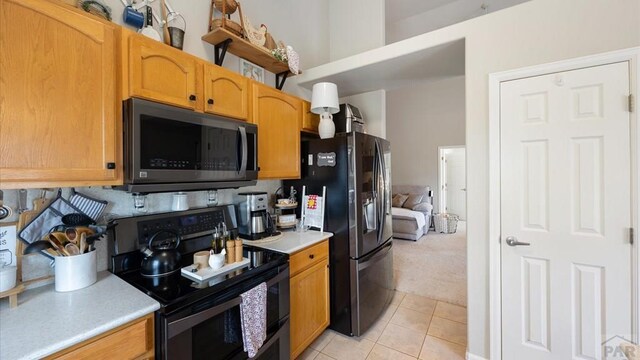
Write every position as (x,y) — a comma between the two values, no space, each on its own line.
(226,93)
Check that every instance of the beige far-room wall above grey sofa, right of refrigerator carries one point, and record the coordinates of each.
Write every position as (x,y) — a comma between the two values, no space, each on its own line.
(421,118)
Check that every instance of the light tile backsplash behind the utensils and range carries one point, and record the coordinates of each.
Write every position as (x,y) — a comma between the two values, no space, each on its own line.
(120,205)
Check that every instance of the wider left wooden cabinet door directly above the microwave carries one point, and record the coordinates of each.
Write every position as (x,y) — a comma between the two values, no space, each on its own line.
(161,73)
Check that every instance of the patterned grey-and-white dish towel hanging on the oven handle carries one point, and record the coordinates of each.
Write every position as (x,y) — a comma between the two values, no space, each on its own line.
(253,318)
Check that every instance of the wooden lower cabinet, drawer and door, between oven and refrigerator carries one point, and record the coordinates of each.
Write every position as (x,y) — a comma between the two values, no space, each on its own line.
(309,296)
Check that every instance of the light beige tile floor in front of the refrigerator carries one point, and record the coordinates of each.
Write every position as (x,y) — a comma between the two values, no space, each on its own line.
(413,327)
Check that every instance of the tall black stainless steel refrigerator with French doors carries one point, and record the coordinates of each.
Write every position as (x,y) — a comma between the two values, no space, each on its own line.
(356,169)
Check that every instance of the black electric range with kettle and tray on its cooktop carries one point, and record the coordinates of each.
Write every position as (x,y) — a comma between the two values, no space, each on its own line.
(192,312)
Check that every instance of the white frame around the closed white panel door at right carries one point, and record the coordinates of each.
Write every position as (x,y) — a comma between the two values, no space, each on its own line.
(631,56)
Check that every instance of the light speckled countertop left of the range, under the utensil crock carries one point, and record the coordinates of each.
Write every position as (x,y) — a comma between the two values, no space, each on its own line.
(47,321)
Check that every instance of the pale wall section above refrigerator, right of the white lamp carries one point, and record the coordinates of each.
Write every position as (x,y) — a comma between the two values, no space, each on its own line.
(372,105)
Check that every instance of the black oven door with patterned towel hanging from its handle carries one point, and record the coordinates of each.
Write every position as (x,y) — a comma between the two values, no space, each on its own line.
(210,328)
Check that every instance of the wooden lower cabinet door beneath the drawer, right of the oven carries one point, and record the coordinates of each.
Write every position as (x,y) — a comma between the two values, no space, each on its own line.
(309,306)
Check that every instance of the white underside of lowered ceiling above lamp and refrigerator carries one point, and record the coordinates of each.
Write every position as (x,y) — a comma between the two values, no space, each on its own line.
(432,63)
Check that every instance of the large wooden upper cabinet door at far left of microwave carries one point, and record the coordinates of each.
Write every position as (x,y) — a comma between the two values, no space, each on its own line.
(60,120)
